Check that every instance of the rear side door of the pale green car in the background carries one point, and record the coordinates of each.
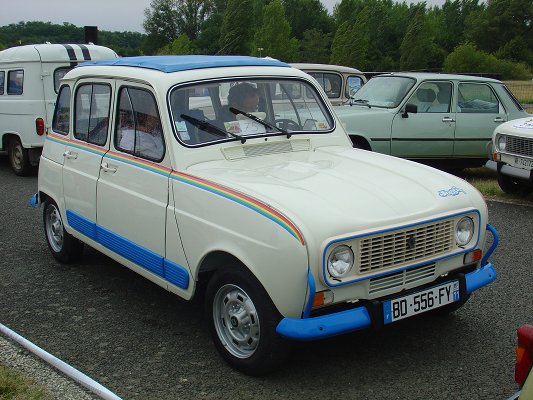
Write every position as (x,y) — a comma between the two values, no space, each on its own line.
(479,111)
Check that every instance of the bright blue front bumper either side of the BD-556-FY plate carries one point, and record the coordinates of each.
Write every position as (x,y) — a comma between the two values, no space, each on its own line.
(359,318)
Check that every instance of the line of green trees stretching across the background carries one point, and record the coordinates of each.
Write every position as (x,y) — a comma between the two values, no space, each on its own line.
(371,35)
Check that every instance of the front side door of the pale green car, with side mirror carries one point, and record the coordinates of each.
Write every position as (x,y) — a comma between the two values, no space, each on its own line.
(428,133)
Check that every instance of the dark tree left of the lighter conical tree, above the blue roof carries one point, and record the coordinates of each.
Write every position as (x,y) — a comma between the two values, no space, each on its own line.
(237,28)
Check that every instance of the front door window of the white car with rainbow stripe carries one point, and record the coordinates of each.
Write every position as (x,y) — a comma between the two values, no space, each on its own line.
(138,128)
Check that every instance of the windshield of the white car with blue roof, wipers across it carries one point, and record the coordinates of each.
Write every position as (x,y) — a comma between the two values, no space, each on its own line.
(214,111)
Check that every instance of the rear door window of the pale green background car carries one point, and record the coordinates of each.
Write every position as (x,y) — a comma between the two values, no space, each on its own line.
(477,98)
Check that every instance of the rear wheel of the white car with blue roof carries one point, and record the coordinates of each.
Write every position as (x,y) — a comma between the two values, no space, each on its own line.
(64,247)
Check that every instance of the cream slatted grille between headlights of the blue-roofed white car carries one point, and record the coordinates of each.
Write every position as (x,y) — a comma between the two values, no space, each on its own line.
(406,246)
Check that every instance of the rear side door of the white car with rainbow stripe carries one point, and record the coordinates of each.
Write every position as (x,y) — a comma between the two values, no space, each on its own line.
(83,154)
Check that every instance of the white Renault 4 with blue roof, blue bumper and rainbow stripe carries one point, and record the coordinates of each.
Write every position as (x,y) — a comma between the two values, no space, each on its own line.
(297,235)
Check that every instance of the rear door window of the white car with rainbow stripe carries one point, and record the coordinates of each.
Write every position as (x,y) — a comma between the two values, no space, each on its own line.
(91,113)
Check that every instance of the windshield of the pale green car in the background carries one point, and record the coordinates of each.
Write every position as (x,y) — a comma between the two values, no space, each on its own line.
(383,91)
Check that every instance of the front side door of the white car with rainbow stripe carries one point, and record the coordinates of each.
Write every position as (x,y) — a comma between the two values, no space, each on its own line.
(132,196)
